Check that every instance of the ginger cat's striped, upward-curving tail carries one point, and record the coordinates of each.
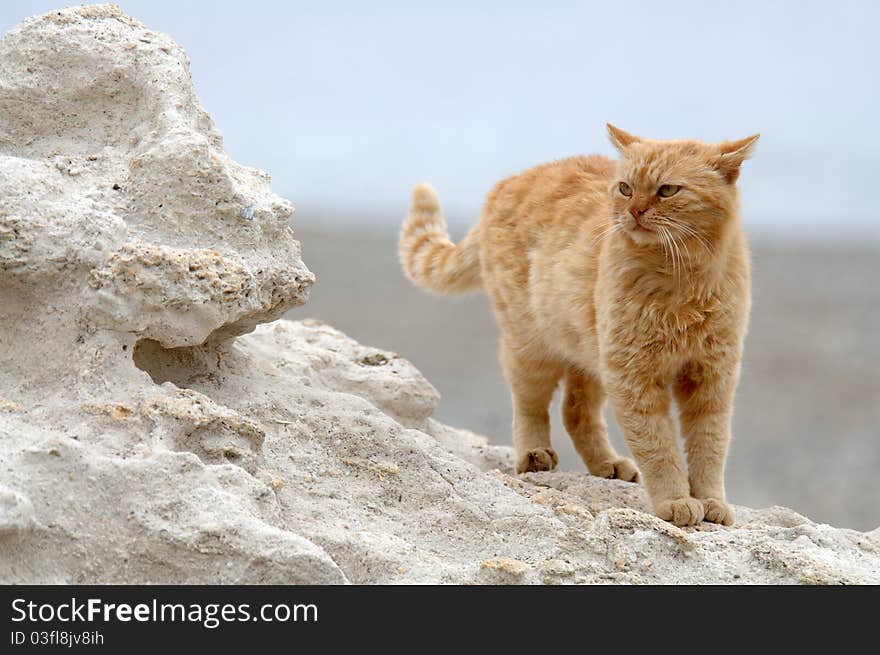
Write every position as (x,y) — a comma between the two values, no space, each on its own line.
(429,259)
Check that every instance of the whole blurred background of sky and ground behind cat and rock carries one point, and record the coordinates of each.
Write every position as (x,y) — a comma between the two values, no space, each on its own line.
(349,104)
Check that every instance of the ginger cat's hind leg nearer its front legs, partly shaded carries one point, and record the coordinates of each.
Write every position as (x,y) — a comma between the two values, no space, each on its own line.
(582,416)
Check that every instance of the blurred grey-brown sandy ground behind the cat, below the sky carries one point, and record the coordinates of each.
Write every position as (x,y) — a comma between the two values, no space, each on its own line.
(807,423)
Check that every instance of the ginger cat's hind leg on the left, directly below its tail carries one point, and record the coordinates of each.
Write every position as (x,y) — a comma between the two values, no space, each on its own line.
(532,380)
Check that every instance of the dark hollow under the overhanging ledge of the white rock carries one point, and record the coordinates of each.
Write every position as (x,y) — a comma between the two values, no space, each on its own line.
(183,366)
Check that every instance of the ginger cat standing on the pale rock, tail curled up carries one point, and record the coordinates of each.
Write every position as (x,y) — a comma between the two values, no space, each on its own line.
(629,278)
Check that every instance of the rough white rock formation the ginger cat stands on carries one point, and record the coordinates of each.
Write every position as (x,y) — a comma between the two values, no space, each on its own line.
(140,441)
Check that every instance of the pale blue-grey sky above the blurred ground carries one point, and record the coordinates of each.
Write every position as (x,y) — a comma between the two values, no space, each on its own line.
(347,104)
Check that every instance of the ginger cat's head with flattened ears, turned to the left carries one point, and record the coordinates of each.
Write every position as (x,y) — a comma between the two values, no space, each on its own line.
(675,190)
